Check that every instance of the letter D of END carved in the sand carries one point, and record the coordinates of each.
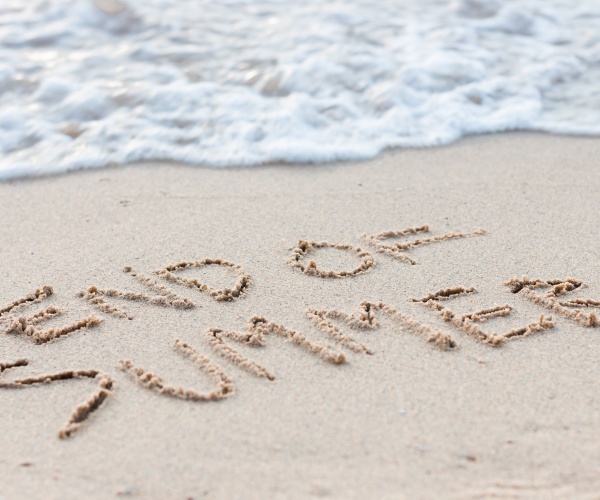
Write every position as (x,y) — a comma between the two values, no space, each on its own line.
(225,294)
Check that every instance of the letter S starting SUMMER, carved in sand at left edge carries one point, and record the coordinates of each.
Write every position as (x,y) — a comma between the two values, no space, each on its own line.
(84,410)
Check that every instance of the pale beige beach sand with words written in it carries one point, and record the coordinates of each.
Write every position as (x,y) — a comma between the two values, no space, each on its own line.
(258,345)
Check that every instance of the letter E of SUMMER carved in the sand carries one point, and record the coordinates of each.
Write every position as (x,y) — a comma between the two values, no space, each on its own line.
(469,322)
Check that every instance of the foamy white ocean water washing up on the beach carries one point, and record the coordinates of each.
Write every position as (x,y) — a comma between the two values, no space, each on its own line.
(88,83)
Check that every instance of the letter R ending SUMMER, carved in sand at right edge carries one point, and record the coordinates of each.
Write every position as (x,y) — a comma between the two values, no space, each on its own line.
(557,288)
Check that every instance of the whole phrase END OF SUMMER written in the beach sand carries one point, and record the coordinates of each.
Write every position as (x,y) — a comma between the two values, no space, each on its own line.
(336,326)
